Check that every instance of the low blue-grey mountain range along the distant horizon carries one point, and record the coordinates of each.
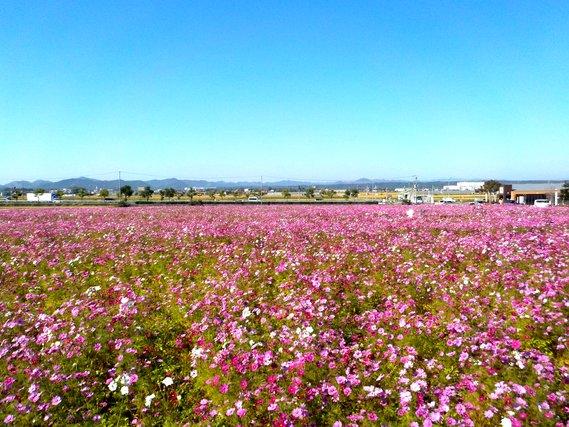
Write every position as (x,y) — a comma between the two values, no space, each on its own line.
(179,184)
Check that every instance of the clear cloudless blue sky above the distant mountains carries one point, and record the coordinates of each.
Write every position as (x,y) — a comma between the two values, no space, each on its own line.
(284,89)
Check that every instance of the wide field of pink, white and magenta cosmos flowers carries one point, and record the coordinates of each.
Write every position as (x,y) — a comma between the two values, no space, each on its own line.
(284,315)
